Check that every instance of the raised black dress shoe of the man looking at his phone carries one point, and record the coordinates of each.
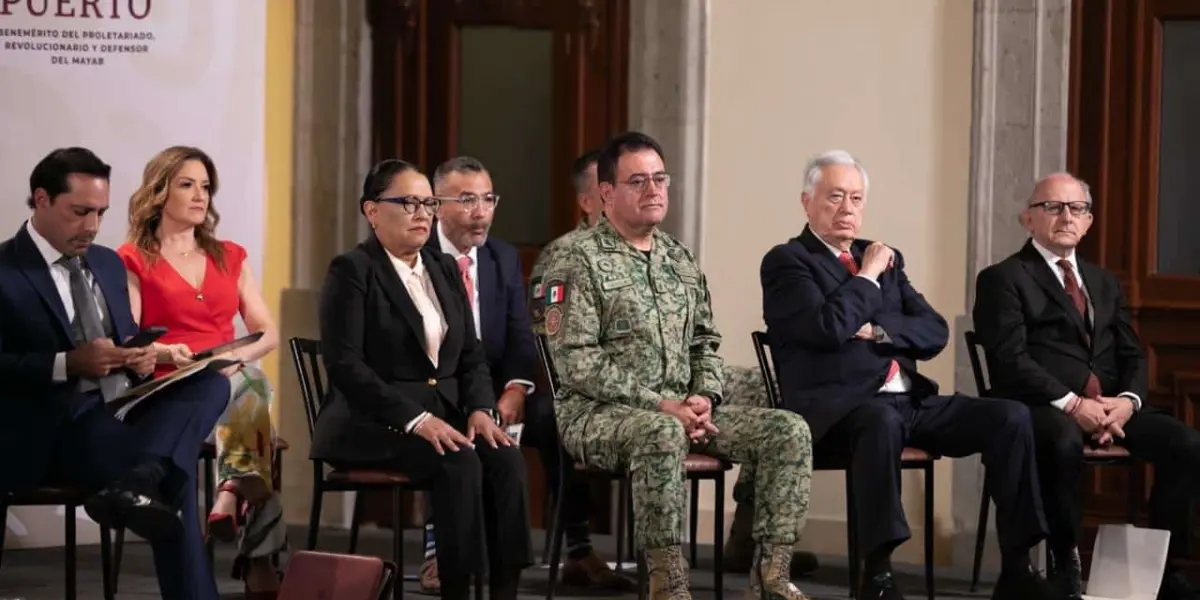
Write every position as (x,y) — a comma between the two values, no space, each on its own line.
(136,509)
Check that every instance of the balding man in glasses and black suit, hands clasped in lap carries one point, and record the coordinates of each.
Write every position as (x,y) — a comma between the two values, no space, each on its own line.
(1059,337)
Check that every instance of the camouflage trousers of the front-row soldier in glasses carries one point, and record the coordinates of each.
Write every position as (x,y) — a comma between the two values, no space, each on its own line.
(653,446)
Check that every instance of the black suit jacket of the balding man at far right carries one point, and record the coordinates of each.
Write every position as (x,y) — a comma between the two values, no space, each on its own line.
(1039,347)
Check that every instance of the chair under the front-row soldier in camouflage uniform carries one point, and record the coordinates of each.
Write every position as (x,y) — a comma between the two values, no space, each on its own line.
(698,469)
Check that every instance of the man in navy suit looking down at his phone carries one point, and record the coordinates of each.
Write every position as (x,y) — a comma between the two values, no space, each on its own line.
(64,311)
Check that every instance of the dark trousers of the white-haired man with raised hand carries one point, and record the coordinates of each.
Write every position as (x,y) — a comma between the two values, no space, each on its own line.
(874,435)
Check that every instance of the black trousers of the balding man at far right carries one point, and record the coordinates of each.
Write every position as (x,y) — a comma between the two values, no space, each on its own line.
(1153,436)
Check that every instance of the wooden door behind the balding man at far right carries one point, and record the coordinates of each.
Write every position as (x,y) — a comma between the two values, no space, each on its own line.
(1135,135)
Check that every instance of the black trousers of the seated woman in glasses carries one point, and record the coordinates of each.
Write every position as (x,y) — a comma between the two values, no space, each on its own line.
(481,497)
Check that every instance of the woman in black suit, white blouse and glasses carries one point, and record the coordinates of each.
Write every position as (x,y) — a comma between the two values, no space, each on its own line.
(411,389)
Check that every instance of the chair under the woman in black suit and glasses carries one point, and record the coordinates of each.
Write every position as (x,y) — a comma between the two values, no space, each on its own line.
(307,358)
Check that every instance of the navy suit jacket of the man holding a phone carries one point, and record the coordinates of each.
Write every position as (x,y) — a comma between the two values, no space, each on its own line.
(33,329)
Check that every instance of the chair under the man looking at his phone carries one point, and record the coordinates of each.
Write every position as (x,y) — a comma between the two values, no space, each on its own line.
(70,499)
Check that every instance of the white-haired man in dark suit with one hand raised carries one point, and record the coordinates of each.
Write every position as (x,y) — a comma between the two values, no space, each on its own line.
(847,332)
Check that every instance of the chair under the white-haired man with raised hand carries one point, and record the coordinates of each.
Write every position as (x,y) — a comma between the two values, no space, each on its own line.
(910,459)
